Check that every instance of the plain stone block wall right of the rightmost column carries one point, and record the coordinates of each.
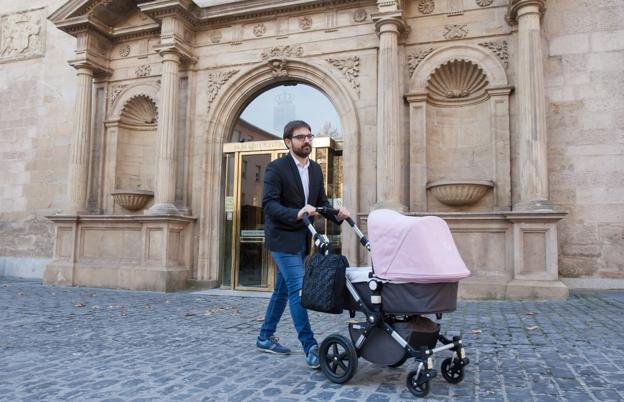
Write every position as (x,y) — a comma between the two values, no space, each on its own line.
(584,81)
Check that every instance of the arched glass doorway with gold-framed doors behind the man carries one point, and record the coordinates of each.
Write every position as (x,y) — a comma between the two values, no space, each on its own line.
(255,140)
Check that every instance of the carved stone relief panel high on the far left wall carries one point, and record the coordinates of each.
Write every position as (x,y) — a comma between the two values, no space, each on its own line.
(22,35)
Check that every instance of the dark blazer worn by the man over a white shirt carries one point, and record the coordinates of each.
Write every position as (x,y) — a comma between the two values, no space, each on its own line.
(283,197)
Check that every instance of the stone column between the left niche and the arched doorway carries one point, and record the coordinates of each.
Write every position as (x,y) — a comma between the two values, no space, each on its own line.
(164,193)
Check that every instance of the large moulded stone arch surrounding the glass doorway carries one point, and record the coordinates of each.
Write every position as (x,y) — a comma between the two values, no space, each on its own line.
(223,112)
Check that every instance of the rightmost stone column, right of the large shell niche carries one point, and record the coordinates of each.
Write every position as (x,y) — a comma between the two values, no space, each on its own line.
(531,166)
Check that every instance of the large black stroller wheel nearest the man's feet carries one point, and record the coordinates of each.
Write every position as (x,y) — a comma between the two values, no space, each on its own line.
(338,358)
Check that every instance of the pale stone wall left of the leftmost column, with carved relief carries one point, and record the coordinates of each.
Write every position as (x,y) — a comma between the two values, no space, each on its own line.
(36,103)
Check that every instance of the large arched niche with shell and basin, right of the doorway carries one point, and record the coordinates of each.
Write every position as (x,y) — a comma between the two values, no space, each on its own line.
(459,132)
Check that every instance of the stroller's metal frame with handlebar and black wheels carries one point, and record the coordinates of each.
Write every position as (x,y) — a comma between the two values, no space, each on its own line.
(340,366)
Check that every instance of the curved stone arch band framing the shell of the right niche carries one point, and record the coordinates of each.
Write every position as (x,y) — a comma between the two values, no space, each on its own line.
(493,68)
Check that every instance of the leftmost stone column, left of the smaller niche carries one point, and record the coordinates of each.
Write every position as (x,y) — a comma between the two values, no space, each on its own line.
(77,178)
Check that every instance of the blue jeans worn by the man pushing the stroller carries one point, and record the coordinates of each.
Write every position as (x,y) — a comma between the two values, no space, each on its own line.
(288,283)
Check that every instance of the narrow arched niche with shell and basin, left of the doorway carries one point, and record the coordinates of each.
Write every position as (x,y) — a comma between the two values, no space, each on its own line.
(131,138)
